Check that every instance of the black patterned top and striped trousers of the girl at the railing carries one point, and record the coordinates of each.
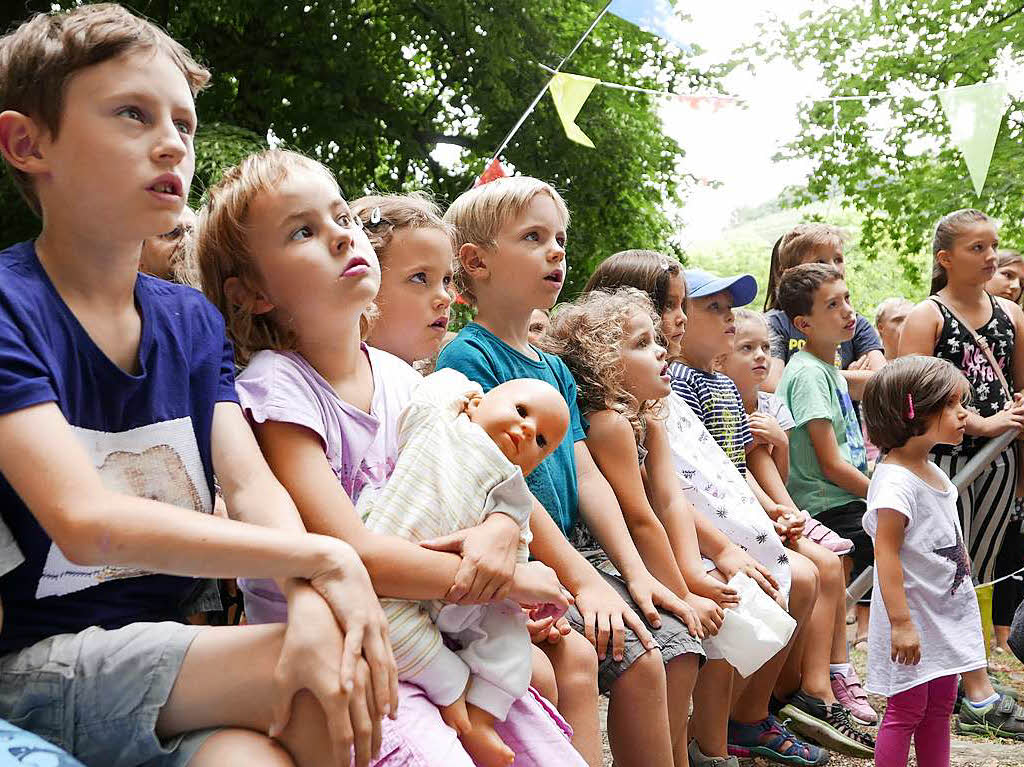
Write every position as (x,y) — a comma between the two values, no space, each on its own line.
(987,505)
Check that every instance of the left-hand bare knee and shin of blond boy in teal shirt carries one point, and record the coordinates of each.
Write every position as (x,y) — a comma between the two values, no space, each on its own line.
(638,715)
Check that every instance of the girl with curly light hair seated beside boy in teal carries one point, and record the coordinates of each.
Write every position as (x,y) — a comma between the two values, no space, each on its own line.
(612,345)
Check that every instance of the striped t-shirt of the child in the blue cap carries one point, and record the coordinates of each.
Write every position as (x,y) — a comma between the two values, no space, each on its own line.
(715,400)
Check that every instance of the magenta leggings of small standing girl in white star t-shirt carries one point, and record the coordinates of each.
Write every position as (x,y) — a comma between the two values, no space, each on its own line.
(923,713)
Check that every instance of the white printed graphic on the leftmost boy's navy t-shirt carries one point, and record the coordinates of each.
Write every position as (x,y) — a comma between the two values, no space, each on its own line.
(158,461)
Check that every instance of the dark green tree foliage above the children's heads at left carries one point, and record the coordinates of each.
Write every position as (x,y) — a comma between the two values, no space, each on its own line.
(371,88)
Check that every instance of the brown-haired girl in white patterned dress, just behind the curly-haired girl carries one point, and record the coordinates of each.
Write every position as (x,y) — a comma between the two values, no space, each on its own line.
(707,479)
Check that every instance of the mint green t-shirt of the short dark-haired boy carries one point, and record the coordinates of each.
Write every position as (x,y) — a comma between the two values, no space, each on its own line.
(813,391)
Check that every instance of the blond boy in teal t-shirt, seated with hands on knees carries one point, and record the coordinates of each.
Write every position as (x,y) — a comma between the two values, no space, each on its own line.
(510,240)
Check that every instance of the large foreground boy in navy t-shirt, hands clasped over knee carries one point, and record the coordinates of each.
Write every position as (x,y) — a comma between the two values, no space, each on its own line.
(117,407)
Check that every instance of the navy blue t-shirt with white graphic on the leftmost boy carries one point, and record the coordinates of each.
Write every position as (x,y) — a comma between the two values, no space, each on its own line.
(148,435)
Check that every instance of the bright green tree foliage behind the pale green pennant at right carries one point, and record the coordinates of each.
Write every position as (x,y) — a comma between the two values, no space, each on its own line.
(892,159)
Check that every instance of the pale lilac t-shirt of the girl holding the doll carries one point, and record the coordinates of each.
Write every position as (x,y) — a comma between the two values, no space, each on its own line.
(362,448)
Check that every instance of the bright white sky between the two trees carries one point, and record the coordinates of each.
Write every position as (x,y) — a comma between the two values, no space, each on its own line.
(736,146)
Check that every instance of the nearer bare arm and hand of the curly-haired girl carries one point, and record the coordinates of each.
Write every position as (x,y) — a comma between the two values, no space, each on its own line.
(616,455)
